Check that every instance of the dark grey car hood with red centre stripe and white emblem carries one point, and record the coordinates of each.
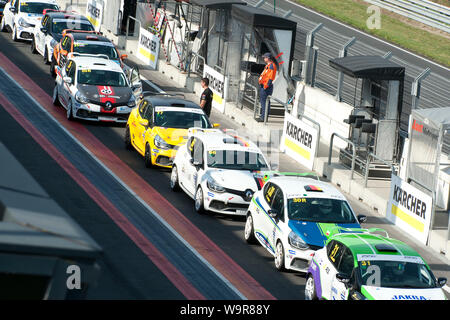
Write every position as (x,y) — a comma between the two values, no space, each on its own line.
(102,94)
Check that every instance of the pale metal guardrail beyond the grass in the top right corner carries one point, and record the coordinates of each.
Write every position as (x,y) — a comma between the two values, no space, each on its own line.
(434,15)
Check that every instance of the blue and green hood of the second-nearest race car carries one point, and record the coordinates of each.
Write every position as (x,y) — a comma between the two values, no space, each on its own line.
(314,233)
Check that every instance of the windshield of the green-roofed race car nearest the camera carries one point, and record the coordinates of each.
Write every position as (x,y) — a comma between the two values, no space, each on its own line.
(396,274)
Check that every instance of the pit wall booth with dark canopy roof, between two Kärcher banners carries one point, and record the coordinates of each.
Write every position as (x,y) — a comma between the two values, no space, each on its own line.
(374,146)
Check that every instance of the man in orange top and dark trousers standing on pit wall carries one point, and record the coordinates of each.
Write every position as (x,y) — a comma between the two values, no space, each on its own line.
(266,83)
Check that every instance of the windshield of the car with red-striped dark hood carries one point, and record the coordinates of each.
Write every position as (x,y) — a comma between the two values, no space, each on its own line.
(102,78)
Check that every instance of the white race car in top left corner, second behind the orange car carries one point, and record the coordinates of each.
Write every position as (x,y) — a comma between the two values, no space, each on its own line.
(21,17)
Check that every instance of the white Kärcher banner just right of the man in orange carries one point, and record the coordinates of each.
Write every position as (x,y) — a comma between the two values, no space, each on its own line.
(299,141)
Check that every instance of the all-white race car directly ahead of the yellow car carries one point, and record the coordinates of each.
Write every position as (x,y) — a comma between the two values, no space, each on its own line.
(221,172)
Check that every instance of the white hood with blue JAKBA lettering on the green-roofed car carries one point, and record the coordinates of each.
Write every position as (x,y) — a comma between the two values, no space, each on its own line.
(378,293)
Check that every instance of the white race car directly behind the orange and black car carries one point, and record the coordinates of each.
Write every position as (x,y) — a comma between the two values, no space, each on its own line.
(49,31)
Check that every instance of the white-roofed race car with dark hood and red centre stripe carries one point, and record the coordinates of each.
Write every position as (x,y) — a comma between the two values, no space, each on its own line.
(96,89)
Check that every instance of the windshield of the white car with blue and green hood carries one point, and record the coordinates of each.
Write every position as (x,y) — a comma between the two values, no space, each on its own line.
(323,210)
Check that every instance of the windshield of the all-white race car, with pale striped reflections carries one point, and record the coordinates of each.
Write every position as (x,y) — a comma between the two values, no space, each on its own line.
(236,160)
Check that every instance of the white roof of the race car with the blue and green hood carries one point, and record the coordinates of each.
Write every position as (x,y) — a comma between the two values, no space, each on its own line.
(294,187)
